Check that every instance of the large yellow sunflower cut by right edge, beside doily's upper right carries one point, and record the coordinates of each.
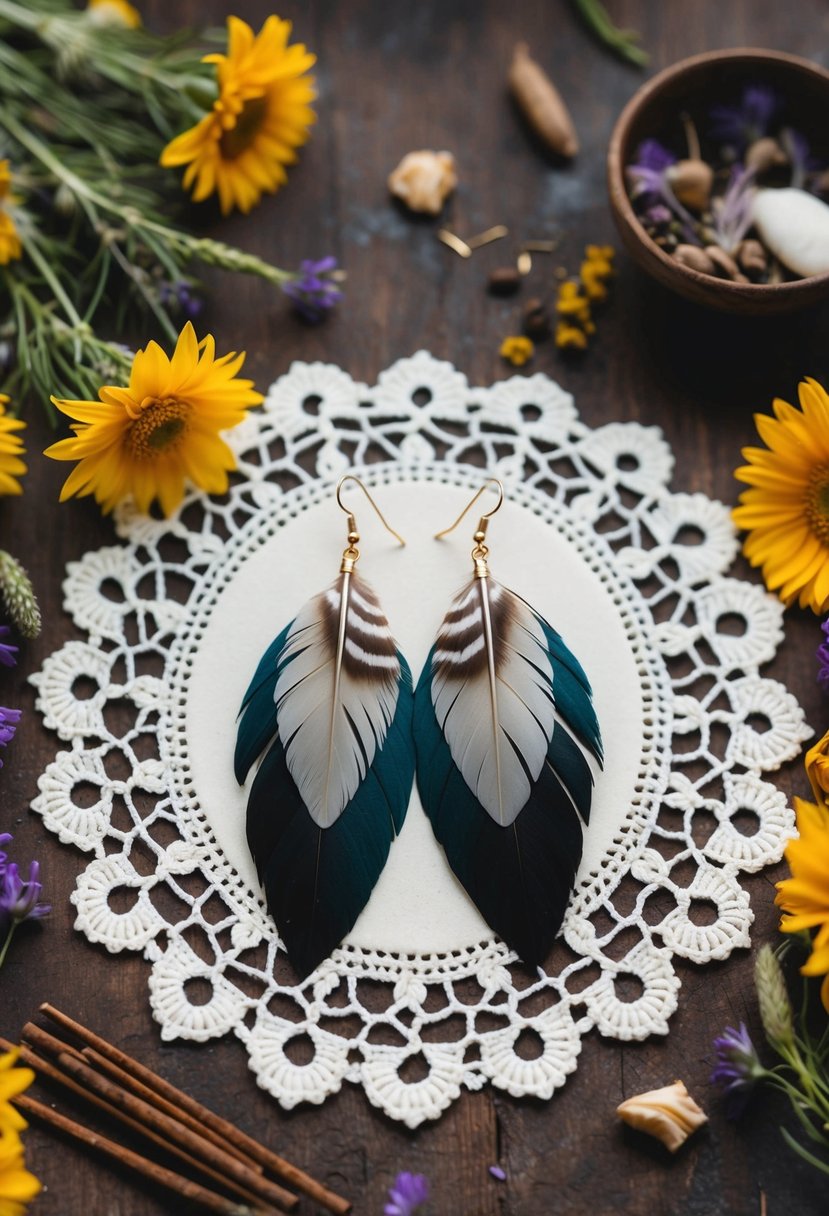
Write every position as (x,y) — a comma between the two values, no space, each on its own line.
(787,510)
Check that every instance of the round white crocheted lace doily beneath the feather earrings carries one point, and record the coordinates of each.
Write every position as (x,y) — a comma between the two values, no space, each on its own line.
(421,1000)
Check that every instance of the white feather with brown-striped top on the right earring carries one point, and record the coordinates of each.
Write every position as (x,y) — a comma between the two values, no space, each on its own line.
(499,723)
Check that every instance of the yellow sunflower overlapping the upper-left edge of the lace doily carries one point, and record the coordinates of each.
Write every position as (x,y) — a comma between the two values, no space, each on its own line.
(148,440)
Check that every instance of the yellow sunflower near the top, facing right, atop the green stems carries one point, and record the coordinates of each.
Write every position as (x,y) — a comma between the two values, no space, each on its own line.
(258,121)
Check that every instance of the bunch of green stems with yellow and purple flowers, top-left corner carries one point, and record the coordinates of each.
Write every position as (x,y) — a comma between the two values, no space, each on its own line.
(99,119)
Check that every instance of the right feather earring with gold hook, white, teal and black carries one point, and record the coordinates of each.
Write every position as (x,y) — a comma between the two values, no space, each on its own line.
(504,724)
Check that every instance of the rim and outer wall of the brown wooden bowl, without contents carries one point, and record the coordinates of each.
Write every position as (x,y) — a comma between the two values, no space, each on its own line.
(695,86)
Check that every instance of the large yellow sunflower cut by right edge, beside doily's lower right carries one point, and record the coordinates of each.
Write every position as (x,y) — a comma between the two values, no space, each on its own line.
(805,897)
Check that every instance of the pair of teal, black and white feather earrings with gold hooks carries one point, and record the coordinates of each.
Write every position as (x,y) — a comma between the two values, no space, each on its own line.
(498,734)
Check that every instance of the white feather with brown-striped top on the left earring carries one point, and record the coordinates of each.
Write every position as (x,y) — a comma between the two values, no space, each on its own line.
(330,723)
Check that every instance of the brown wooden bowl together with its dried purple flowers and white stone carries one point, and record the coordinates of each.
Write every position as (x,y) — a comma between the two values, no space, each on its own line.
(719,177)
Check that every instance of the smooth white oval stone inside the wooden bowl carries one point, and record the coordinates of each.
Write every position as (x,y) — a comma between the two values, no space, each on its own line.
(794,226)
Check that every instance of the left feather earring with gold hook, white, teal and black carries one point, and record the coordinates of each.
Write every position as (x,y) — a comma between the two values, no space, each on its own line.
(331,708)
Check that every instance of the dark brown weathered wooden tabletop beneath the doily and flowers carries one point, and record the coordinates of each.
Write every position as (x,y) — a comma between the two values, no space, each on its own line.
(393,77)
